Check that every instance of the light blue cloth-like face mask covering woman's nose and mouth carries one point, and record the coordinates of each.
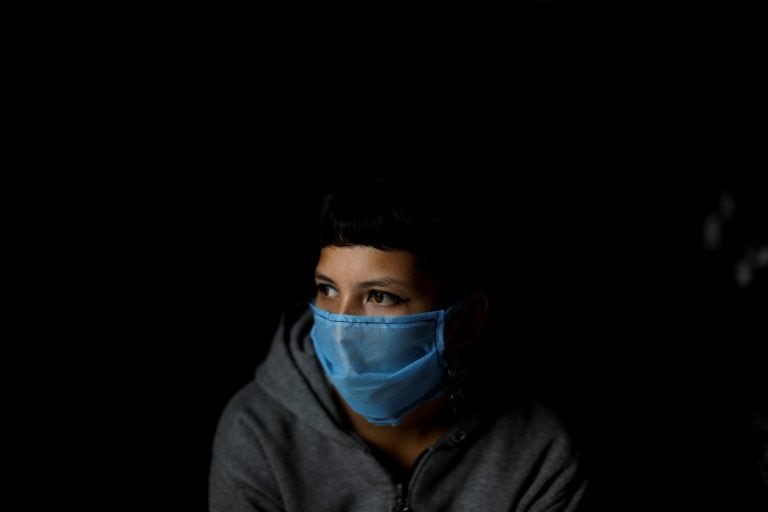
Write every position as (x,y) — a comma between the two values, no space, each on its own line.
(383,366)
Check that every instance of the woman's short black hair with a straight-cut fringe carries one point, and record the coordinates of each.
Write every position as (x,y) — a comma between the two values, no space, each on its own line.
(398,215)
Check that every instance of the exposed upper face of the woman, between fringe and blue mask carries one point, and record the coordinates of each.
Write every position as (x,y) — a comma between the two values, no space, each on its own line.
(360,280)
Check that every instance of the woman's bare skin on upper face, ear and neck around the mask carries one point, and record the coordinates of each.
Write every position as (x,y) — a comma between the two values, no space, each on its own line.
(362,280)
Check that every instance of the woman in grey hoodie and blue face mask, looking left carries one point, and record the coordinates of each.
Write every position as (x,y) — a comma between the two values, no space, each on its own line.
(364,402)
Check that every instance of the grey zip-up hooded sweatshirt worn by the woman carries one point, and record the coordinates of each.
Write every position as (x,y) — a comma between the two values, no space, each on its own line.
(283,444)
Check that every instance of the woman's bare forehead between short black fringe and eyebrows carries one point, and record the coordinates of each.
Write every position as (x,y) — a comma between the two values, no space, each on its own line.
(360,263)
